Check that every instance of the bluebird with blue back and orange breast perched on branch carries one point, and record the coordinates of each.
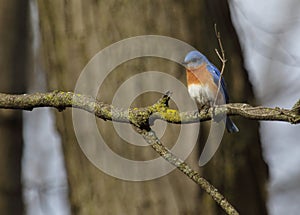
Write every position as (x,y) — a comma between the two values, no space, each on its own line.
(202,81)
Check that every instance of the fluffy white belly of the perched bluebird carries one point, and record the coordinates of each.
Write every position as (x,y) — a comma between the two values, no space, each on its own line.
(201,94)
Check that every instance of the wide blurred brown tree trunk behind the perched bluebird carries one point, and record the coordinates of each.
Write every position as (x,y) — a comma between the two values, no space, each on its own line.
(73,31)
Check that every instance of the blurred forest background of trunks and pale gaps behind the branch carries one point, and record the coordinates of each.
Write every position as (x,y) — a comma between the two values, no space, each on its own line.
(46,44)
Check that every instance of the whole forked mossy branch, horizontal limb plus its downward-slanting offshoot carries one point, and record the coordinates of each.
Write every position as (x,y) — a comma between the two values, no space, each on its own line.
(143,117)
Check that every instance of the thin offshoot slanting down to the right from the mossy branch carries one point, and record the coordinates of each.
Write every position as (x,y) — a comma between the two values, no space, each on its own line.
(164,152)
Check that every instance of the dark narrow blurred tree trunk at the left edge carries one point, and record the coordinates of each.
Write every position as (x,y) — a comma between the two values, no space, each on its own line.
(13,58)
